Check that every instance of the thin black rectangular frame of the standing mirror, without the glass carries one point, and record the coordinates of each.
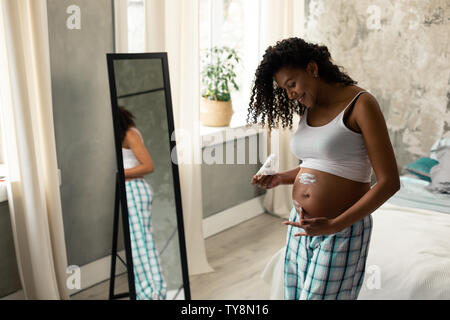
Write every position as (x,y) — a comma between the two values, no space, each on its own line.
(111,57)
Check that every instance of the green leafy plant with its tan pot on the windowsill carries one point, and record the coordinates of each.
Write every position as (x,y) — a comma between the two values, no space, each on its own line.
(217,77)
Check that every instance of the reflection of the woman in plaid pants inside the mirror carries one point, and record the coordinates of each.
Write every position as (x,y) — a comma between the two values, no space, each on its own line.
(137,162)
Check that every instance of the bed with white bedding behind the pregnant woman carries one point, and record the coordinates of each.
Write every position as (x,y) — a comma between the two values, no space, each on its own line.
(409,253)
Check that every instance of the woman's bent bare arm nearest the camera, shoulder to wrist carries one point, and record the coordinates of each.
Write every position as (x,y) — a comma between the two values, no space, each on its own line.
(371,121)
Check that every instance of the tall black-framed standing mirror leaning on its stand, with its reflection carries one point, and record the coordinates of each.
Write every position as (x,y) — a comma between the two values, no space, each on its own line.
(148,188)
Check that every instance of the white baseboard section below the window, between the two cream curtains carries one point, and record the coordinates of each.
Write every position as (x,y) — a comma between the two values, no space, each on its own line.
(233,216)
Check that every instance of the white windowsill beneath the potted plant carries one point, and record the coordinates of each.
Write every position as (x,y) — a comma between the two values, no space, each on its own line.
(237,129)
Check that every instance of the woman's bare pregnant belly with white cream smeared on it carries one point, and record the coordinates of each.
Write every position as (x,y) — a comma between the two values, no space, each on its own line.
(322,194)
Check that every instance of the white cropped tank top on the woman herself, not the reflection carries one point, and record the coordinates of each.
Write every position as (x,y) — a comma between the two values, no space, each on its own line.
(332,148)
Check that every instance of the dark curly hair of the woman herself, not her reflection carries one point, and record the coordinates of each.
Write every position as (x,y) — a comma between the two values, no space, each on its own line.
(268,99)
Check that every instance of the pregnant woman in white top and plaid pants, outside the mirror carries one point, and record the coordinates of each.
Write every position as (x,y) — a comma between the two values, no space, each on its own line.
(341,136)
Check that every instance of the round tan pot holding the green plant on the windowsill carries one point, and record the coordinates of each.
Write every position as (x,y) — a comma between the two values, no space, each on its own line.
(215,113)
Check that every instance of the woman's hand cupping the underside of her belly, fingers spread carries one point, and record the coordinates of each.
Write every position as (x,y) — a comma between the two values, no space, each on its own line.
(314,226)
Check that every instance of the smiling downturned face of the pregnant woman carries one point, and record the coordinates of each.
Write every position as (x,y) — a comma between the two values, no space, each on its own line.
(299,84)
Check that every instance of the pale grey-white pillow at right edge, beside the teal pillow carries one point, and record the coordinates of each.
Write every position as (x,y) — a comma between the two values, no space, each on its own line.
(440,173)
